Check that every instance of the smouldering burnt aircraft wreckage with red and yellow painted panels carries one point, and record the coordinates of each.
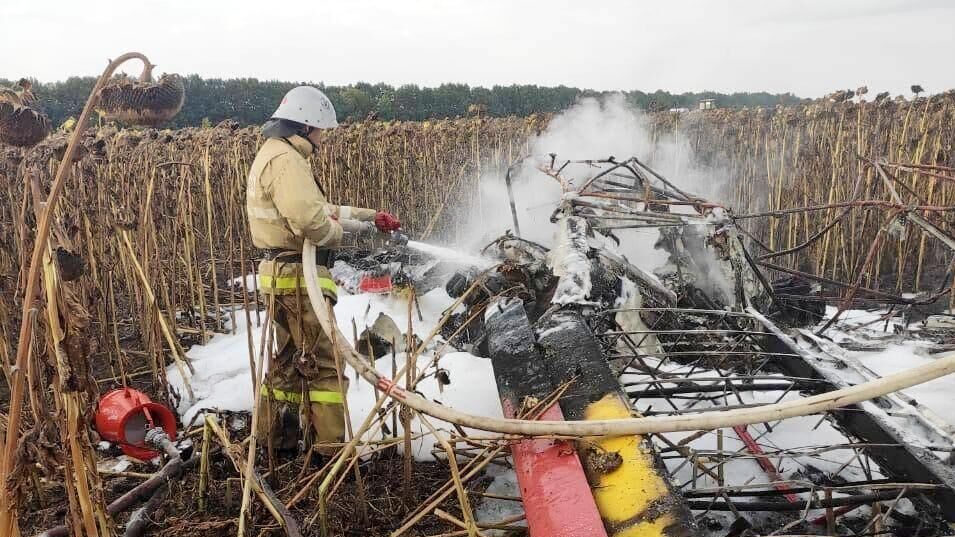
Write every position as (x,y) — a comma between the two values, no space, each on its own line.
(577,333)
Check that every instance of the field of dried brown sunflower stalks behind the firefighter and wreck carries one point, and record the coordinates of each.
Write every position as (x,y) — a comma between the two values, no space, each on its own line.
(154,220)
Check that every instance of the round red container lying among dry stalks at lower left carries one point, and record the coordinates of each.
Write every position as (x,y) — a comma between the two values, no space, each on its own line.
(126,412)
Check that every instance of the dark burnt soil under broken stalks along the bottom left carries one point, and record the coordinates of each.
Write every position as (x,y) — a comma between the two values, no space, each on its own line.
(179,516)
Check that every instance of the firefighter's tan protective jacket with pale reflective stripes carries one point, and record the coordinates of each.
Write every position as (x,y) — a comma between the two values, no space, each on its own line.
(285,206)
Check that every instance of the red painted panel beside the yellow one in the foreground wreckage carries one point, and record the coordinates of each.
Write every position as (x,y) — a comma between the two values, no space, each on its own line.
(557,499)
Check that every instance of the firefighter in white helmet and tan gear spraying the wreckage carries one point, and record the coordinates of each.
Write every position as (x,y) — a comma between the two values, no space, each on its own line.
(301,394)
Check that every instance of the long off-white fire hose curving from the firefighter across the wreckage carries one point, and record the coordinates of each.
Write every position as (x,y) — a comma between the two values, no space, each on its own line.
(630,426)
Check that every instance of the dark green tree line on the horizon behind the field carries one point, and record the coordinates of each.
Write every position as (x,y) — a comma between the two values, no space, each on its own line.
(250,101)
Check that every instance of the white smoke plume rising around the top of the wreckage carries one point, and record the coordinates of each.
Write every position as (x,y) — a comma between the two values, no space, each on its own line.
(592,129)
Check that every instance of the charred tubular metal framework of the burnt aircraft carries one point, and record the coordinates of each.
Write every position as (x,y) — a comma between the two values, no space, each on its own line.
(738,344)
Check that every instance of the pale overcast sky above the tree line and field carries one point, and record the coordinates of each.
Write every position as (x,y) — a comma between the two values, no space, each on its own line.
(809,48)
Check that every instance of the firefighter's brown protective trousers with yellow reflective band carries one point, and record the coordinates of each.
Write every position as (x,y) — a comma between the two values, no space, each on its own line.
(302,394)
